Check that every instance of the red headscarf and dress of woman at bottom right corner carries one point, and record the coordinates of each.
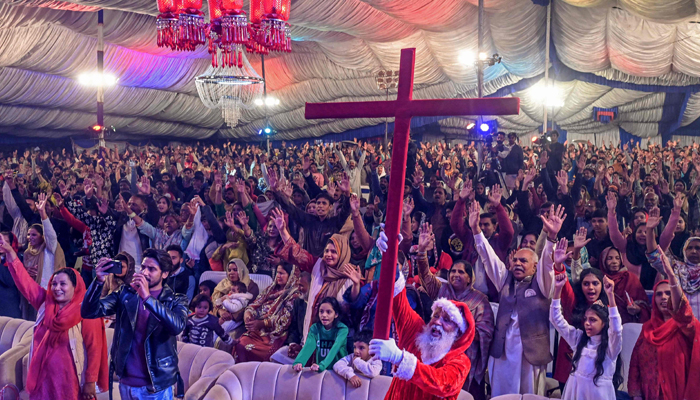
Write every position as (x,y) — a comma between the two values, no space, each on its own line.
(677,354)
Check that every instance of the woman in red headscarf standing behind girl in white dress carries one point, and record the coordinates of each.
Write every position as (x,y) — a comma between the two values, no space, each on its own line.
(628,288)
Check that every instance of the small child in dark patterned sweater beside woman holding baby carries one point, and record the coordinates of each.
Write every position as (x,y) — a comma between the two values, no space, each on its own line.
(201,325)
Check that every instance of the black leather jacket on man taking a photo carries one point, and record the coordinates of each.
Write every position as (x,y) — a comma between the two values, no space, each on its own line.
(168,319)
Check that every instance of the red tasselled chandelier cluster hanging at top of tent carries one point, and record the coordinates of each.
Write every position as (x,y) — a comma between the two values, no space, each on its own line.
(181,26)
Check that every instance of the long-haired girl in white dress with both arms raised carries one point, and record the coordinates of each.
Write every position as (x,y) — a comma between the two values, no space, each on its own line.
(594,374)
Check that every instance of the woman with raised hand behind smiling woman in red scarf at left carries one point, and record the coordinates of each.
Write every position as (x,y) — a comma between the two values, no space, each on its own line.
(43,255)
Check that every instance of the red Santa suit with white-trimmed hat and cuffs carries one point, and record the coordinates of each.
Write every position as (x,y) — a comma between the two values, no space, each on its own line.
(419,379)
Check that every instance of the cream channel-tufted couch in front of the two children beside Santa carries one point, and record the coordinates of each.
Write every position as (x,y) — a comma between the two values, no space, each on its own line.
(248,381)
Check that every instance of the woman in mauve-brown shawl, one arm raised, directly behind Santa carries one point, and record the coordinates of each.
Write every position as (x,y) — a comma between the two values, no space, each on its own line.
(460,288)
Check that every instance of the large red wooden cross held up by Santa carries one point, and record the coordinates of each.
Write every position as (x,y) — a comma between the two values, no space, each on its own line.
(403,108)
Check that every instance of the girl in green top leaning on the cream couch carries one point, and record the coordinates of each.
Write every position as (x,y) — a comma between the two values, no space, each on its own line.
(327,338)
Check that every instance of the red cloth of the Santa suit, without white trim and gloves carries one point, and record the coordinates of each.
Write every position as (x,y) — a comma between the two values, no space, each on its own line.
(441,380)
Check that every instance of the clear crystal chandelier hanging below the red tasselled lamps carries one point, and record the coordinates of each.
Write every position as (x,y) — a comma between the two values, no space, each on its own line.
(230,88)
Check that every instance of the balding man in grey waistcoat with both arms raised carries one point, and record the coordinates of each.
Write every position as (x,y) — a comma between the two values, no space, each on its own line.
(520,346)
